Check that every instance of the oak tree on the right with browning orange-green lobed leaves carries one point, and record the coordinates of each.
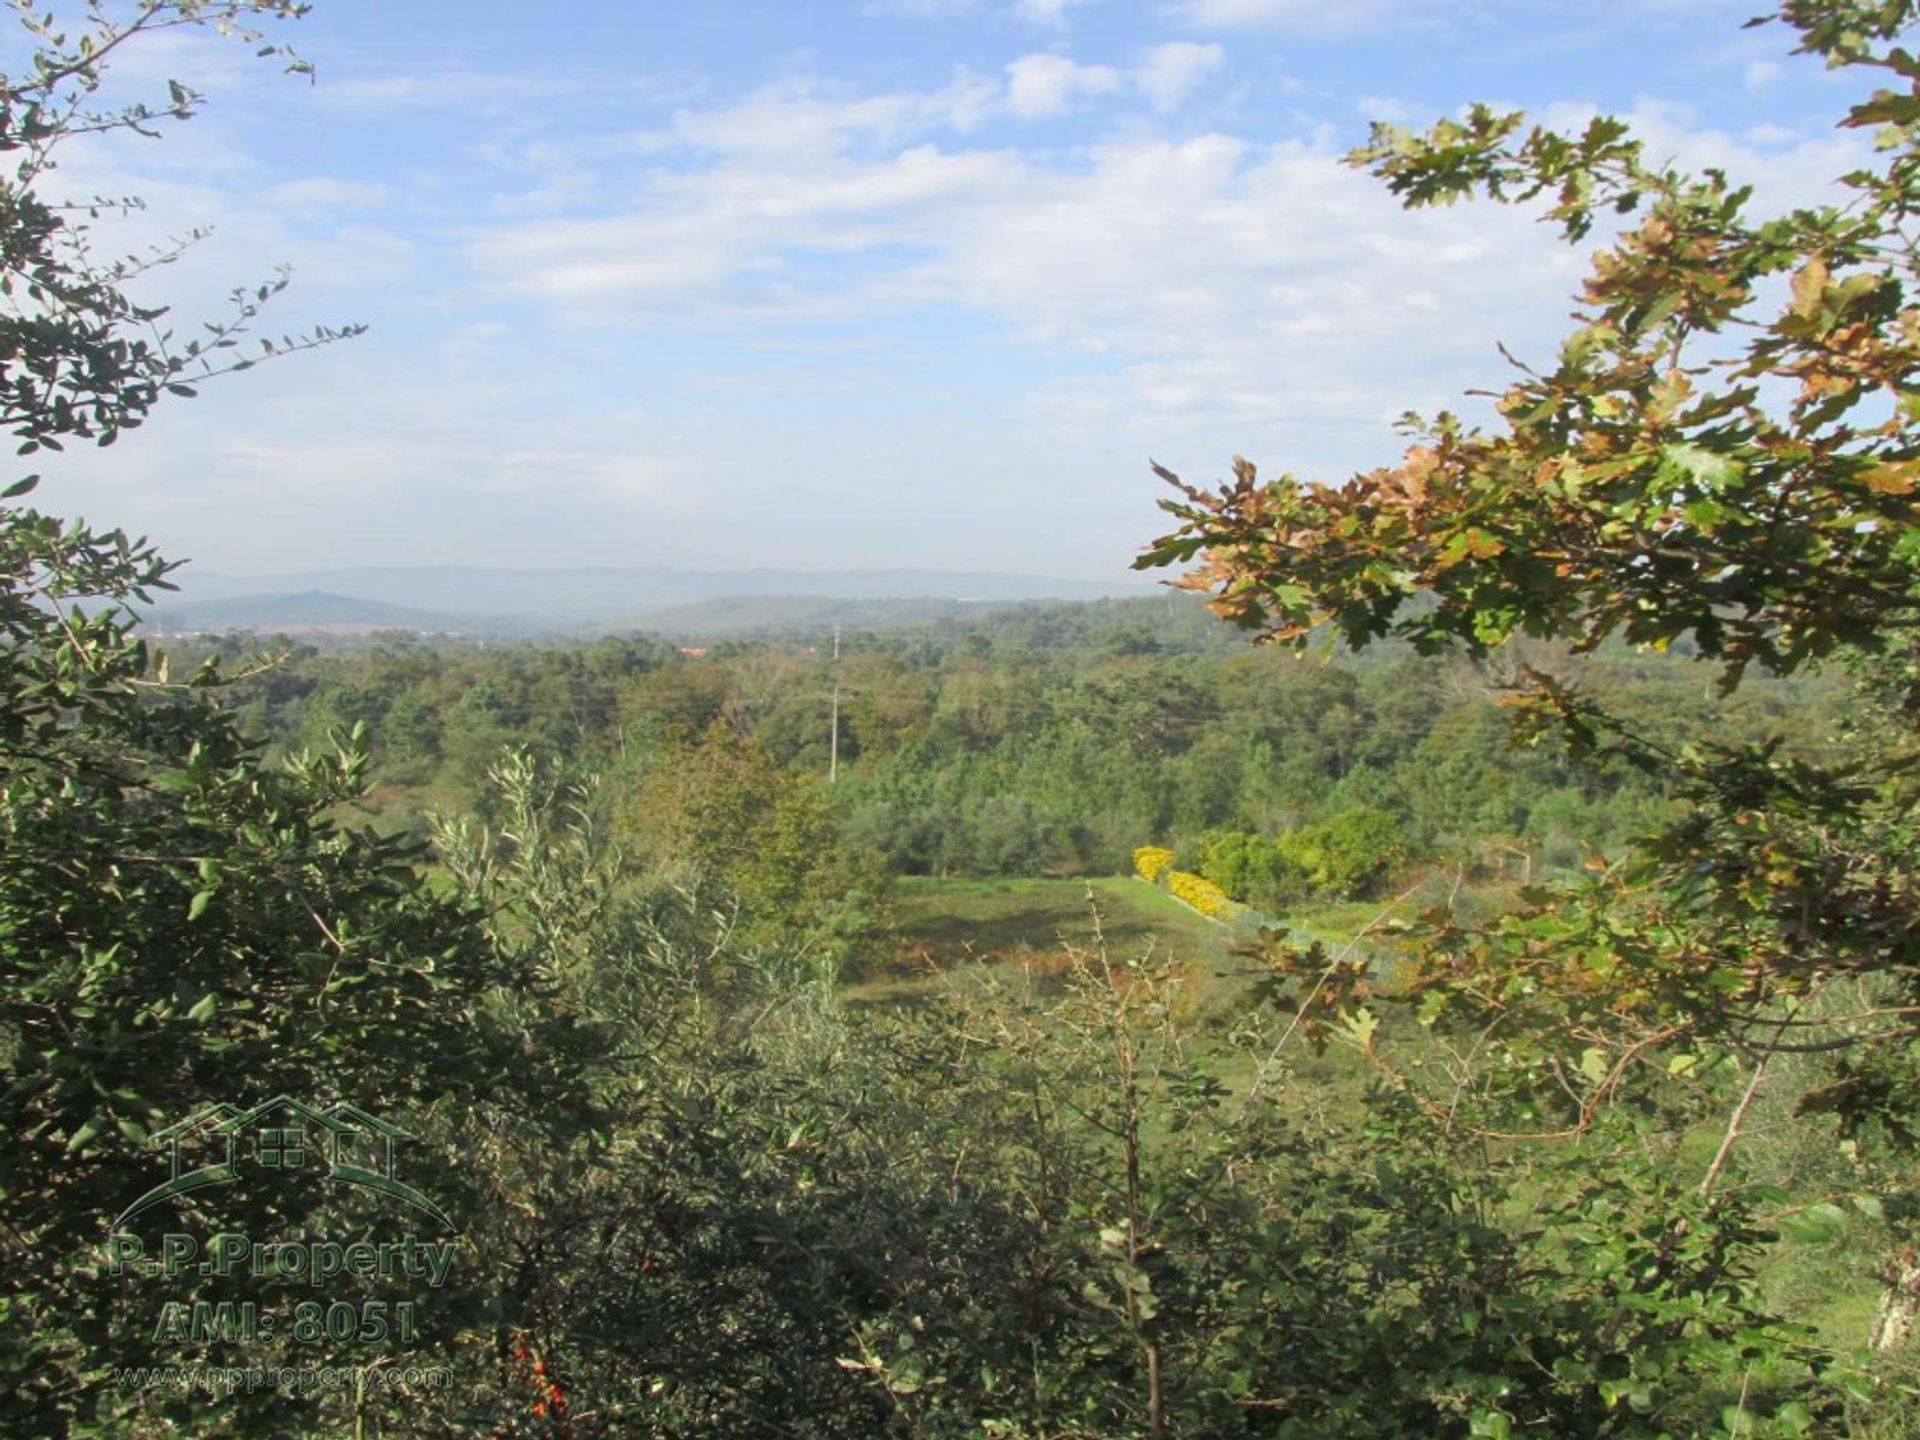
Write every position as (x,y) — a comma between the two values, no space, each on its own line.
(1725,456)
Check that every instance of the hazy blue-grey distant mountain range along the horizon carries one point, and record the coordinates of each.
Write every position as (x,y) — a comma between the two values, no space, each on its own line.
(496,602)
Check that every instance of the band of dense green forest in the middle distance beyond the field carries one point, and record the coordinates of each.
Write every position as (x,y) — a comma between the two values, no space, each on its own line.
(1040,742)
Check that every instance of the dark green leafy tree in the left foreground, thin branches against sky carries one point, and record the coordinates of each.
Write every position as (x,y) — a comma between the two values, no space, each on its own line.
(181,926)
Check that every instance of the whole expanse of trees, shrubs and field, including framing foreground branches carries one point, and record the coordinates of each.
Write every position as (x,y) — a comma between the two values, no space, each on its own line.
(1558,1076)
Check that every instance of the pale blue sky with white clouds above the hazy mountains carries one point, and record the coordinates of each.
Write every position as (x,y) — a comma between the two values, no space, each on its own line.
(853,283)
